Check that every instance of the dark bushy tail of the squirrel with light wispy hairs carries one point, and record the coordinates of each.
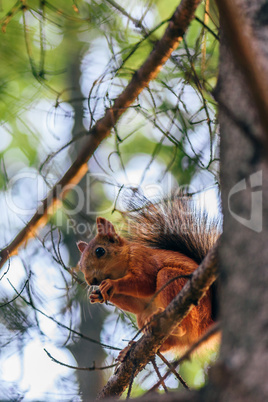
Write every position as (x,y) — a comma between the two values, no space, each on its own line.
(175,225)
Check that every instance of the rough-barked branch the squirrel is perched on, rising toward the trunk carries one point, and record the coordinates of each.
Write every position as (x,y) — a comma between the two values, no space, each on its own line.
(144,350)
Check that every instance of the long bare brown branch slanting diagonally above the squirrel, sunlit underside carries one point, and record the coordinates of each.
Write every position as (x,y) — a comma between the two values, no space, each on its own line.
(141,79)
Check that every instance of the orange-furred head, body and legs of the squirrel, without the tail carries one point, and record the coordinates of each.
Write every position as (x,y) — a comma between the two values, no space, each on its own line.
(129,274)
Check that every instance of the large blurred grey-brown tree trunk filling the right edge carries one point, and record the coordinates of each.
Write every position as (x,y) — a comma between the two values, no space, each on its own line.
(241,373)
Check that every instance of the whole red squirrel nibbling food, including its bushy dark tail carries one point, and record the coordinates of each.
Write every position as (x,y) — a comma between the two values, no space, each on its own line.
(165,240)
